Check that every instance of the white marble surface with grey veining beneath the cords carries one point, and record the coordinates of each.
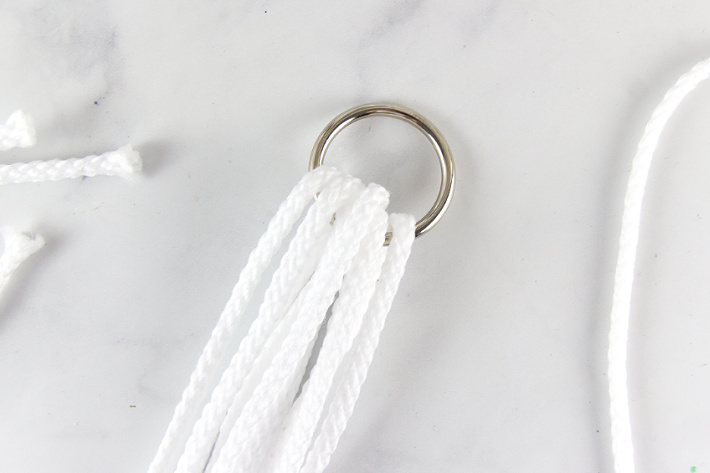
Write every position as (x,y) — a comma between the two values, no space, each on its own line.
(493,358)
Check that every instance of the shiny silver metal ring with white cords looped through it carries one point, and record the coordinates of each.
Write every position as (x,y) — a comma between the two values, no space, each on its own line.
(434,136)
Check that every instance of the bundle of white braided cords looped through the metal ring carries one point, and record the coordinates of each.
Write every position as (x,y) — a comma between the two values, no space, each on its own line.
(261,415)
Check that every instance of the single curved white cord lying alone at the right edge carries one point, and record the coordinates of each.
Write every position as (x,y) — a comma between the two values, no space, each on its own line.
(622,445)
